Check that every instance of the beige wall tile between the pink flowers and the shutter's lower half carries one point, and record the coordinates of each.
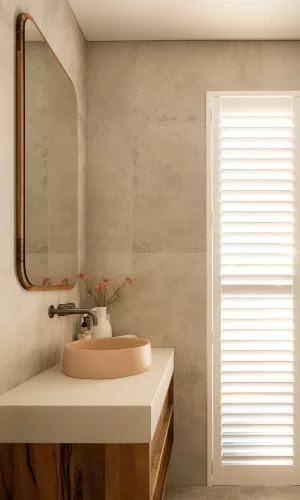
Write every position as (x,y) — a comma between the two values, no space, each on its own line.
(169,308)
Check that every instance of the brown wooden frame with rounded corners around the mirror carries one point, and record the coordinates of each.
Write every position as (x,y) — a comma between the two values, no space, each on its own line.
(20,151)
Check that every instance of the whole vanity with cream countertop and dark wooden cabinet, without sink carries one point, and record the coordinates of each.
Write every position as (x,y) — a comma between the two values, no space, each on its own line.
(64,437)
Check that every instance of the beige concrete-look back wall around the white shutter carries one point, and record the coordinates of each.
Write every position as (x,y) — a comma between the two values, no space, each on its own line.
(146,195)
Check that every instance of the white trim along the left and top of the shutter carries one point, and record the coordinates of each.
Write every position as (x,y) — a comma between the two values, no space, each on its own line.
(209,255)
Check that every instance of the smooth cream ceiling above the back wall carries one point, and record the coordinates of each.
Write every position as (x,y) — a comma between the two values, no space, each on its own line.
(188,19)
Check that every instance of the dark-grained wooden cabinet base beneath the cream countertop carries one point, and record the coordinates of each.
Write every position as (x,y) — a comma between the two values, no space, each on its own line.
(90,471)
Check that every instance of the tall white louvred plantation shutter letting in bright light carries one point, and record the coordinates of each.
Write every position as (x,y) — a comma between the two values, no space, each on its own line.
(254,246)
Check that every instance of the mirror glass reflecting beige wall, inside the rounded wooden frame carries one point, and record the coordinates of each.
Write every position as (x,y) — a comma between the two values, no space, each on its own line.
(51,157)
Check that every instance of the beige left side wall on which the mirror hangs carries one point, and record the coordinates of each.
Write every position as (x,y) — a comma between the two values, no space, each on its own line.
(29,341)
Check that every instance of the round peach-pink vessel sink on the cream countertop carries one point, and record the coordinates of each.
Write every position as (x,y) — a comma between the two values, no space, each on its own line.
(106,358)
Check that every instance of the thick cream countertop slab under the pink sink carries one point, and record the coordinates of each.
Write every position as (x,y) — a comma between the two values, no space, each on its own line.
(54,408)
